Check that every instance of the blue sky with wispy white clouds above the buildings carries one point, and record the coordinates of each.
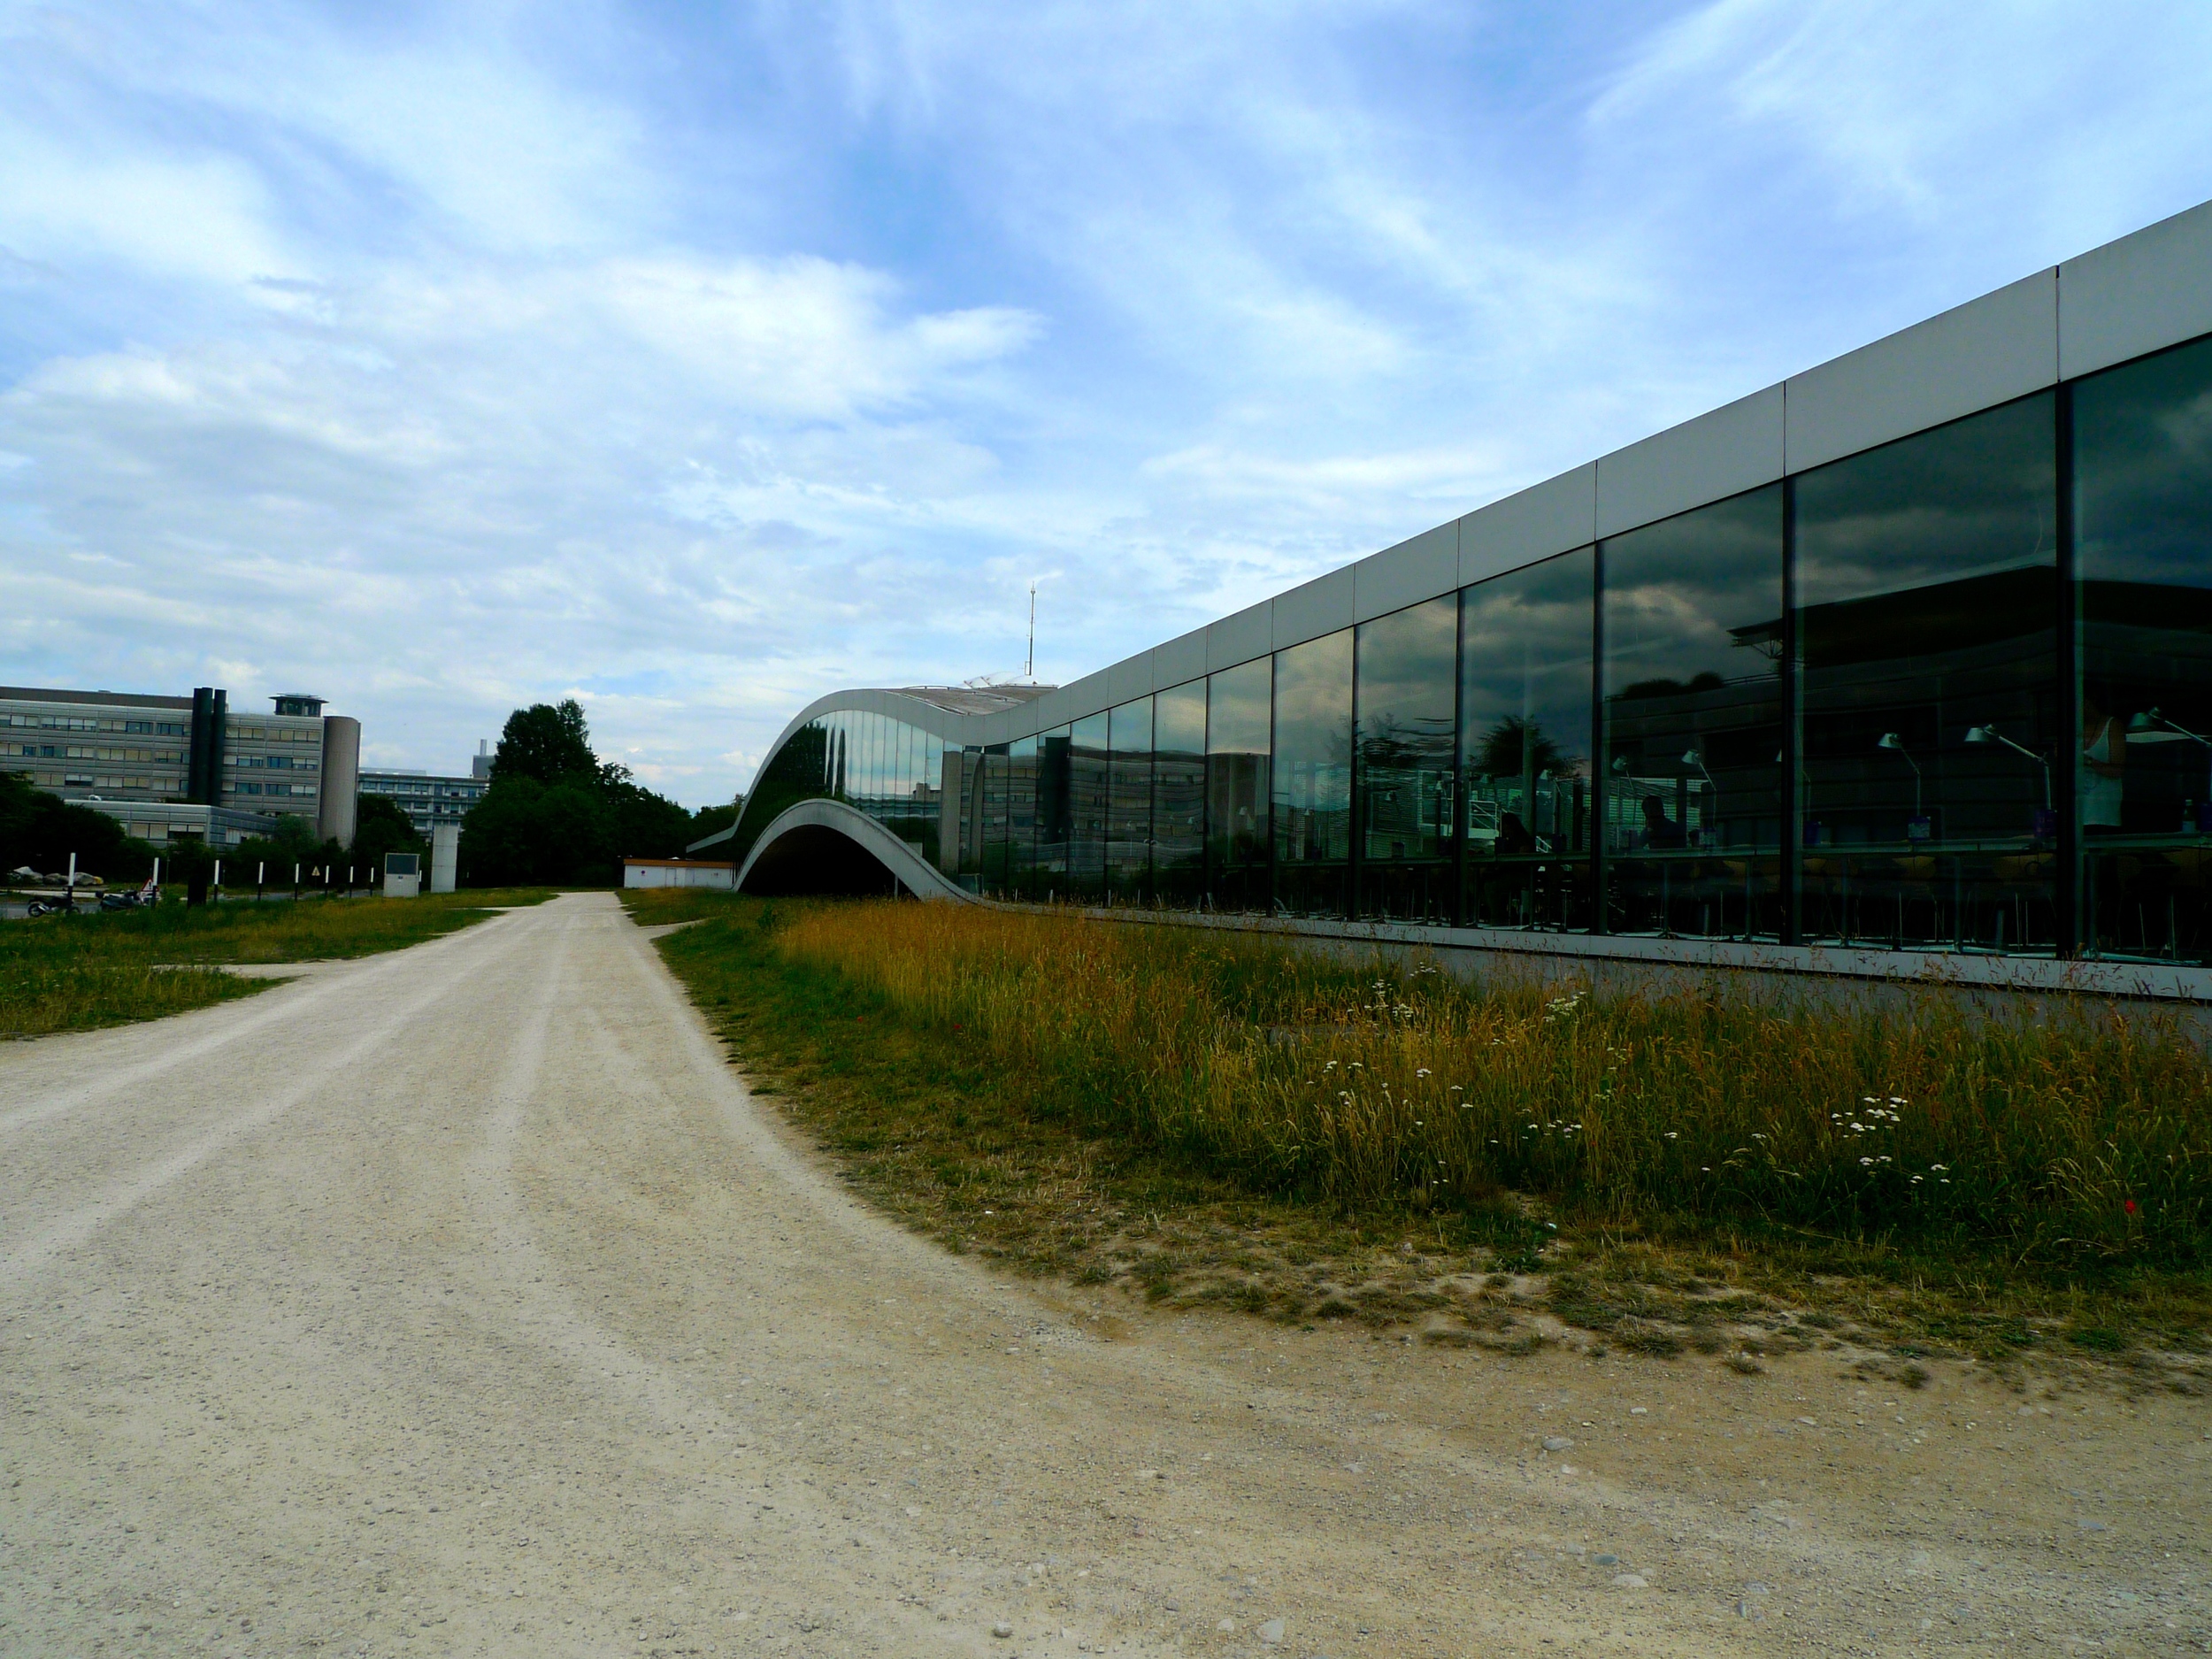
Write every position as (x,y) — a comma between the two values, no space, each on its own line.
(700,362)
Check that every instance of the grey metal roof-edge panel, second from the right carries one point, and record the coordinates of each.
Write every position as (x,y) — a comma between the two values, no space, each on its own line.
(1974,357)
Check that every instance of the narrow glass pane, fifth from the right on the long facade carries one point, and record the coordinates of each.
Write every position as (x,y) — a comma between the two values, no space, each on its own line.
(1408,760)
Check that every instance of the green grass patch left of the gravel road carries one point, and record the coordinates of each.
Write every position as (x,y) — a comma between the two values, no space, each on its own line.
(101,970)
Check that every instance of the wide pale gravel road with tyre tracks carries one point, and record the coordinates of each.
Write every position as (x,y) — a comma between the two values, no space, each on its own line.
(461,1302)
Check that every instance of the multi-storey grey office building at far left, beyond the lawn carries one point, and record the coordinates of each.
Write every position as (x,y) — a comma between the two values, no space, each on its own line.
(114,749)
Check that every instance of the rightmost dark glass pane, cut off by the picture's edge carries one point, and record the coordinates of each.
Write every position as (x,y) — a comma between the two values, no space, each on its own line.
(2145,567)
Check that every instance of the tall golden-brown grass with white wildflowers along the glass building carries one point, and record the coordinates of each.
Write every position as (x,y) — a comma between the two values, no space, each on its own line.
(1304,1076)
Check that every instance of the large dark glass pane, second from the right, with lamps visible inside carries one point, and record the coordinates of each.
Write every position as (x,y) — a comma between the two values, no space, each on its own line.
(1928,656)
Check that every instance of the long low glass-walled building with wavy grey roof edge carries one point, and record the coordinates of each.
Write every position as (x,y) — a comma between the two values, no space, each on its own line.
(1912,651)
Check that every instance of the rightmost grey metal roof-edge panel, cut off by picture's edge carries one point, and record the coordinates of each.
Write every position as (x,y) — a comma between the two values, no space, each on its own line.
(2138,295)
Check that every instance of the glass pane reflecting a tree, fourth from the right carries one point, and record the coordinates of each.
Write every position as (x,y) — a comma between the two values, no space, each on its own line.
(1525,733)
